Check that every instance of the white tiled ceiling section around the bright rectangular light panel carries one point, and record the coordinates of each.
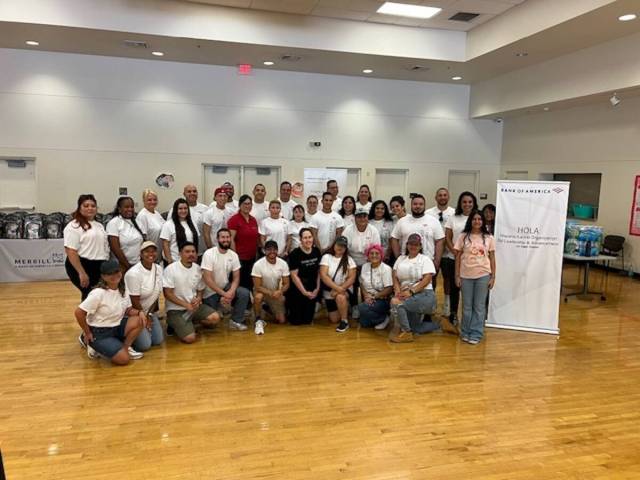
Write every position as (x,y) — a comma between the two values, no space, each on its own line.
(365,10)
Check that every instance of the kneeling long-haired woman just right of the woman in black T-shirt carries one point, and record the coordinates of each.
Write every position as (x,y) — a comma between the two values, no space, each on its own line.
(338,273)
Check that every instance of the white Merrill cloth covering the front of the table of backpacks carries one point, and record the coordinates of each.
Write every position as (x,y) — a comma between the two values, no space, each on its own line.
(31,260)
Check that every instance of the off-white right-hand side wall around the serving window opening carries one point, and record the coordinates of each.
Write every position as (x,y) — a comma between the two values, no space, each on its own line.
(589,139)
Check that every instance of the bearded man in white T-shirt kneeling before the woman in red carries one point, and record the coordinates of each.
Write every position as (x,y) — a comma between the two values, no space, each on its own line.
(221,275)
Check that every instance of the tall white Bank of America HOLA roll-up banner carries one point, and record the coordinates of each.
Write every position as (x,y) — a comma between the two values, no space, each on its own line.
(529,233)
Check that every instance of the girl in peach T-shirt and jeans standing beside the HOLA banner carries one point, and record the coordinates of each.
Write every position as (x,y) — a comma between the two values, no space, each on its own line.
(475,275)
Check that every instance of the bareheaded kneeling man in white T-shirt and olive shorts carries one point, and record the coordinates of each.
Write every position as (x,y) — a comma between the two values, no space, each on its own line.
(183,287)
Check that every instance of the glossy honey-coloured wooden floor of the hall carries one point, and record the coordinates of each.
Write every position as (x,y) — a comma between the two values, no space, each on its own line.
(305,402)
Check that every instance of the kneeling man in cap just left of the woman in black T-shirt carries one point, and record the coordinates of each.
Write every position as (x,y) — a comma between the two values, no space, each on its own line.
(270,282)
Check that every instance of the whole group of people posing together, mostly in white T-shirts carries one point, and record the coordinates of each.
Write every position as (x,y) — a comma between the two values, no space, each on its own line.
(364,260)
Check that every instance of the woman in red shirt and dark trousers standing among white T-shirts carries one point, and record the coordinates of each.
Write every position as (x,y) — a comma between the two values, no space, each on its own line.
(245,237)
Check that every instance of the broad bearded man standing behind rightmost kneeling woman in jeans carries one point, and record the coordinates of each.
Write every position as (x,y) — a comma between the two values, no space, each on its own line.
(424,225)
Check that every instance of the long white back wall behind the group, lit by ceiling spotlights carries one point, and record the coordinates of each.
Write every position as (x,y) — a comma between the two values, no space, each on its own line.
(96,123)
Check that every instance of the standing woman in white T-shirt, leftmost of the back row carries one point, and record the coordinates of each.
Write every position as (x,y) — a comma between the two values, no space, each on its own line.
(86,245)
